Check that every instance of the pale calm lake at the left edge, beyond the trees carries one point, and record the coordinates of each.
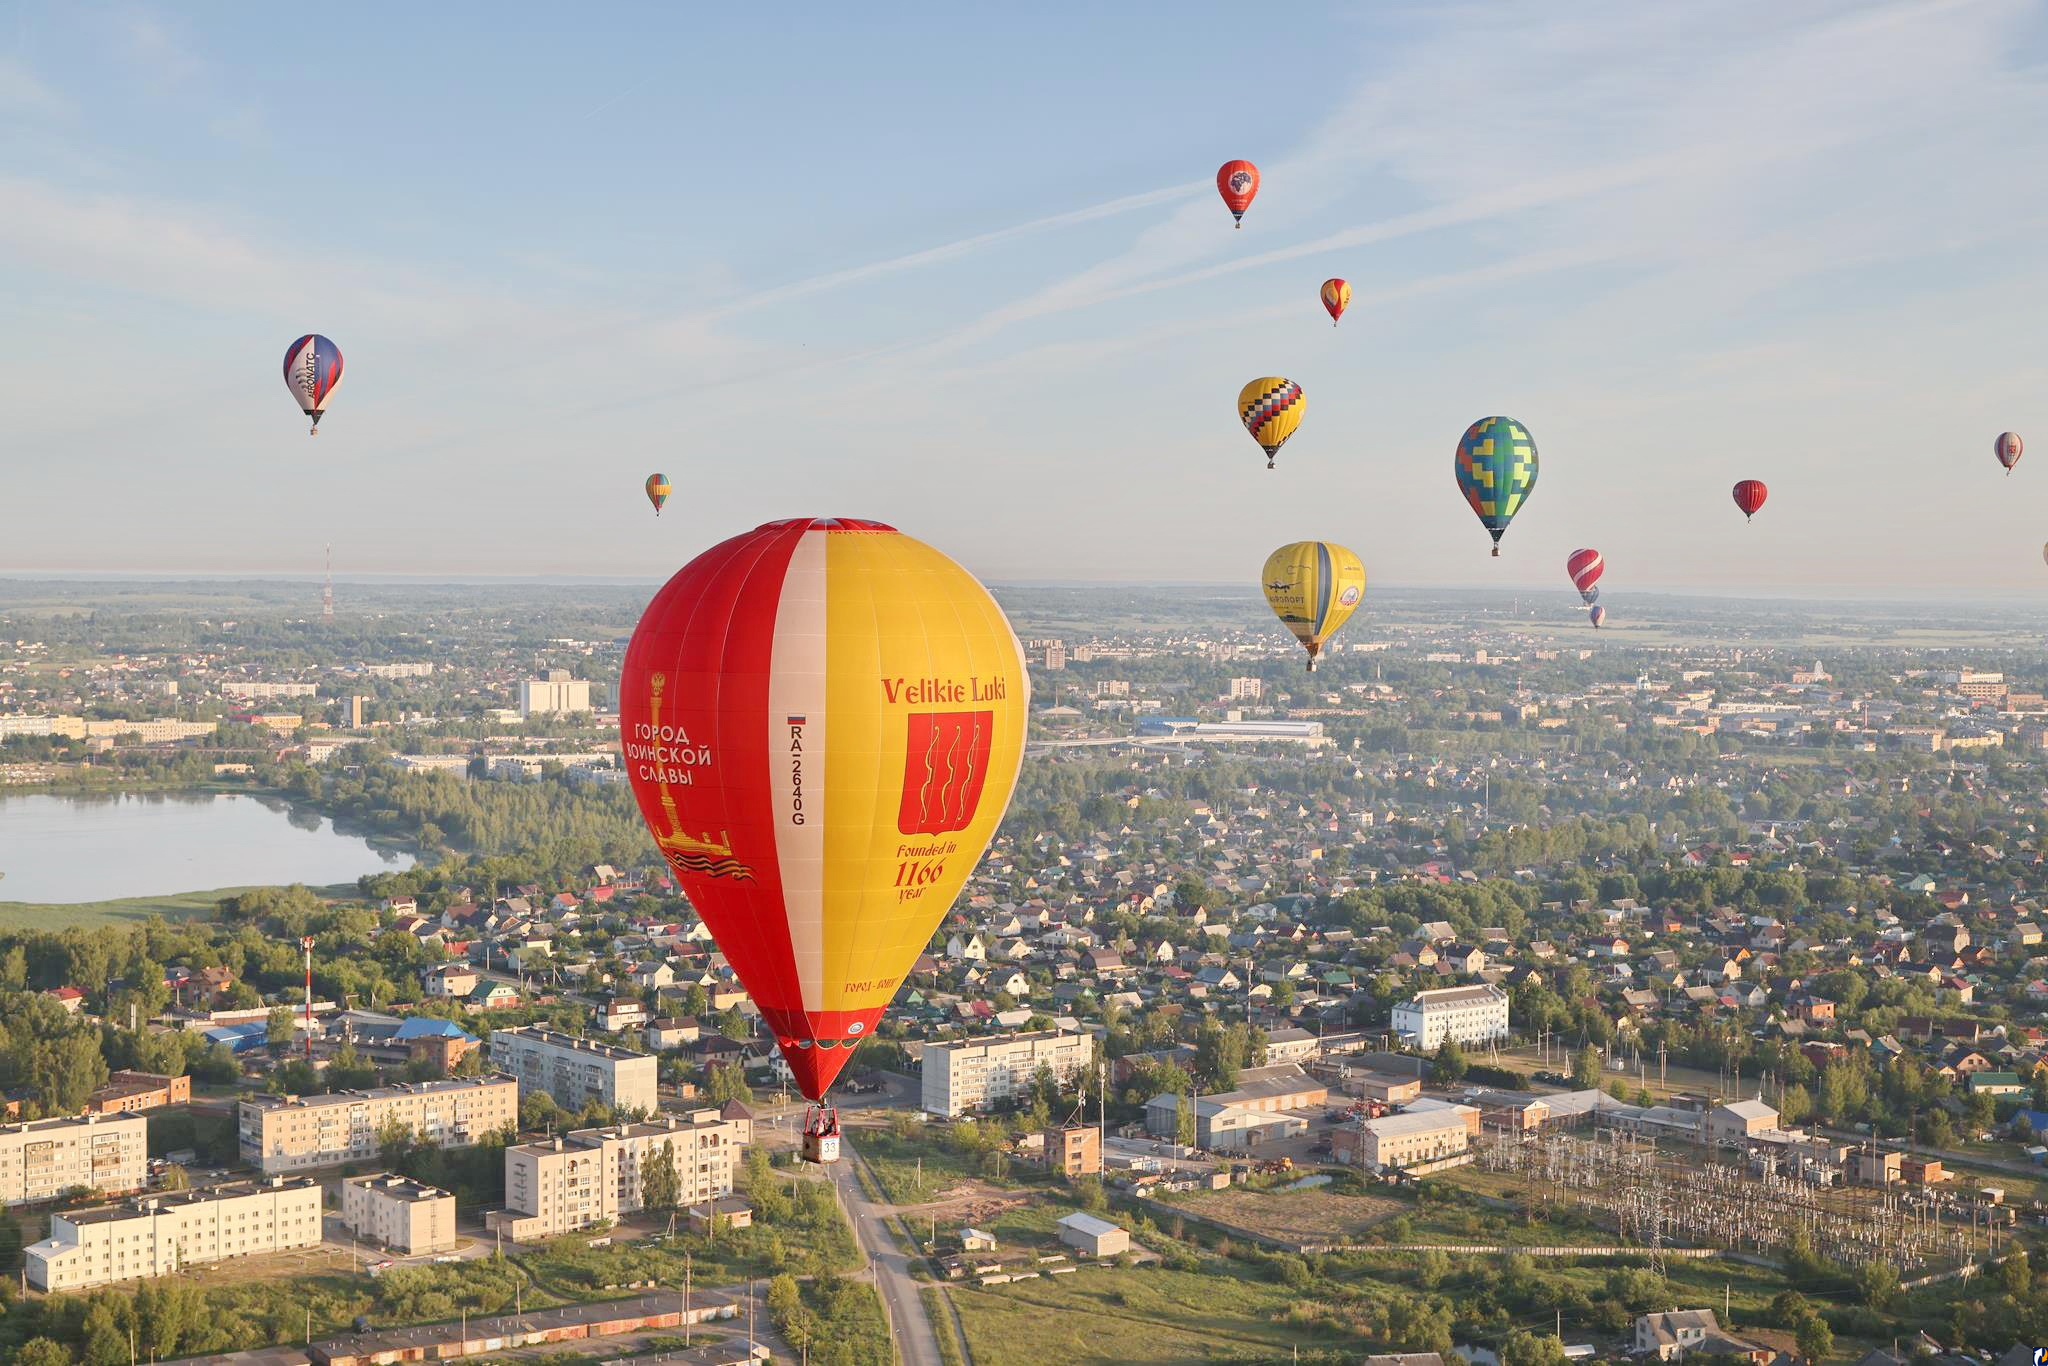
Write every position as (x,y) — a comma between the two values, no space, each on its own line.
(99,849)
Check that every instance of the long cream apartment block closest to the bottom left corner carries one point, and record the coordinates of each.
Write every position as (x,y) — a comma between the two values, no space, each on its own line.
(159,1236)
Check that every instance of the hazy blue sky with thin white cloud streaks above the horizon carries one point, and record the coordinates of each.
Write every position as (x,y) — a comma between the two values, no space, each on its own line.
(966,271)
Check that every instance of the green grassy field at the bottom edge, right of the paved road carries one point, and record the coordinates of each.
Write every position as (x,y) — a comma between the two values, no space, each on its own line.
(1134,1316)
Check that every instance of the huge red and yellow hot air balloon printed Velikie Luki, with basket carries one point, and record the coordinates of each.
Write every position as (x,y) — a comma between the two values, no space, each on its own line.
(822,724)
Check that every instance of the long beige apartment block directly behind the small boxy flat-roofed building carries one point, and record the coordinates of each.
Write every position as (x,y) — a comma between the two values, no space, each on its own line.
(292,1134)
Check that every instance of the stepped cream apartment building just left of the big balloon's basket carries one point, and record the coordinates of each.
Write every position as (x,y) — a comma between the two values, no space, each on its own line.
(577,1181)
